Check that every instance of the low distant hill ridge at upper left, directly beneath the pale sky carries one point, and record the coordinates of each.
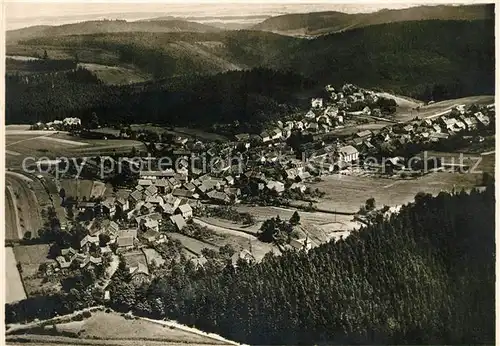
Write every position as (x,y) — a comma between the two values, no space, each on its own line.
(107,26)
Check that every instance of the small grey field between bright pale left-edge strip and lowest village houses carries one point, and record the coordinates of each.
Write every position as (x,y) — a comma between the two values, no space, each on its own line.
(30,257)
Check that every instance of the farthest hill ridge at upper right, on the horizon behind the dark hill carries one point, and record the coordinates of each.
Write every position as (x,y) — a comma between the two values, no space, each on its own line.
(319,23)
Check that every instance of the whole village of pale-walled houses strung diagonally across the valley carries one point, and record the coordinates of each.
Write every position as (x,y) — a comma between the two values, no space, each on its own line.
(265,162)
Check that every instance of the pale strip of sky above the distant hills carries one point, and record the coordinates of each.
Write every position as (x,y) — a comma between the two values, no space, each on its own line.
(21,14)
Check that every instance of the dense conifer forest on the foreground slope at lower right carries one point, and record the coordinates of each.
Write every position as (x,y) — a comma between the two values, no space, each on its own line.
(426,276)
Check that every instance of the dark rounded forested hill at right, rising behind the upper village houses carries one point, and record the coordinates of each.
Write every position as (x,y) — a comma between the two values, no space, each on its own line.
(410,58)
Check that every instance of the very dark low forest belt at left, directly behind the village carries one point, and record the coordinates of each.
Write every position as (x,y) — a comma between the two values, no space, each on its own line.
(236,100)
